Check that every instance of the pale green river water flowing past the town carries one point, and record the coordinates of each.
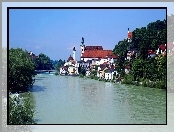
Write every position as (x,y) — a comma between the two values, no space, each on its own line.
(74,100)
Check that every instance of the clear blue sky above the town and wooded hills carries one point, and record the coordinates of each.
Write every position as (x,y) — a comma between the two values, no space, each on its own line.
(55,32)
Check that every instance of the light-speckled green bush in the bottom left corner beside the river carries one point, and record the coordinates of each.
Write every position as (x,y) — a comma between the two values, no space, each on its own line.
(20,111)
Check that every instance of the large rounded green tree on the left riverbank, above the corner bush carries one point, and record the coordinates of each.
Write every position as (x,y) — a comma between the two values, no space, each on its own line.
(21,70)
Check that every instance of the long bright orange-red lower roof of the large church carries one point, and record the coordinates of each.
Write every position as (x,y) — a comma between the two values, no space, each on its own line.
(98,54)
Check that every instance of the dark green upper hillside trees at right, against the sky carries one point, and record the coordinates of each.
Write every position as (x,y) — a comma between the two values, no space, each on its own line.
(144,38)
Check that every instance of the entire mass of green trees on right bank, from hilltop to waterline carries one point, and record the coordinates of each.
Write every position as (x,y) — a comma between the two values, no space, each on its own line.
(142,67)
